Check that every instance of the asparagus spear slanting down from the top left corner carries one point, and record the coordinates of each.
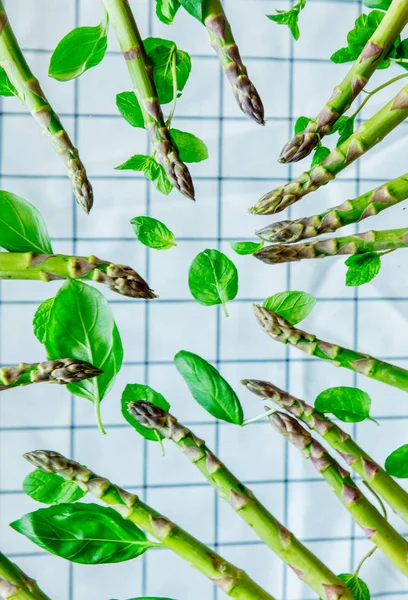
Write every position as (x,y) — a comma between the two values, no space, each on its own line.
(31,94)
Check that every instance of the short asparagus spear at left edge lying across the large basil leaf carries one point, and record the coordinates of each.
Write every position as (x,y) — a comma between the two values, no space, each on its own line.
(62,371)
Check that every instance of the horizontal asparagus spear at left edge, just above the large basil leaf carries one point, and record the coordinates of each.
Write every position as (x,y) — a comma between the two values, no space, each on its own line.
(48,267)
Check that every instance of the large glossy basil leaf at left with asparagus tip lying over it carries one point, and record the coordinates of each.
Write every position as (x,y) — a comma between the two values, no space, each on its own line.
(81,325)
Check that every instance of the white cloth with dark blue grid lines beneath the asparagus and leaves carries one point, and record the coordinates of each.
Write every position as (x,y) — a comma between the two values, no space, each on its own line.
(293,79)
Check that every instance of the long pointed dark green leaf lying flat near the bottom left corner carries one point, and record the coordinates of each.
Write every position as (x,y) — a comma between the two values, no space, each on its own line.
(87,534)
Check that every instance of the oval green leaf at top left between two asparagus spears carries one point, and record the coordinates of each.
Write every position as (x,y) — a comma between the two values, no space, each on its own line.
(80,50)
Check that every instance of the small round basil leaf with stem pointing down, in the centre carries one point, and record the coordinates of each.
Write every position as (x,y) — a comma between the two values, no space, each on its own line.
(213,278)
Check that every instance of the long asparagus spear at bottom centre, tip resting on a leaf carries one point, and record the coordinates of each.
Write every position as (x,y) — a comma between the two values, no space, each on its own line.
(305,564)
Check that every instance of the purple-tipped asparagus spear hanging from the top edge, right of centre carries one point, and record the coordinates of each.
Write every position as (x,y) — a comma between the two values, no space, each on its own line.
(223,42)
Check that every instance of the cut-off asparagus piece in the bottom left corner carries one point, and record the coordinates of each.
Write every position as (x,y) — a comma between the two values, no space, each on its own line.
(15,585)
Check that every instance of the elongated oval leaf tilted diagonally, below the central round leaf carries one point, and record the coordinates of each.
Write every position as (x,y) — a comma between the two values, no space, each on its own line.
(209,388)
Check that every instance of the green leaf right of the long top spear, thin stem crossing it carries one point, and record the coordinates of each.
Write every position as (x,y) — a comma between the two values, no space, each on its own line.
(167,60)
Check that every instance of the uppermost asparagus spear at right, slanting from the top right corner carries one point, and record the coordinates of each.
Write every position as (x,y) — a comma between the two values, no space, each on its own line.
(356,79)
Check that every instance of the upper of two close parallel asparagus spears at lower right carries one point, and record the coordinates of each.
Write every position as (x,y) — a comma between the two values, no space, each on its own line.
(378,479)
